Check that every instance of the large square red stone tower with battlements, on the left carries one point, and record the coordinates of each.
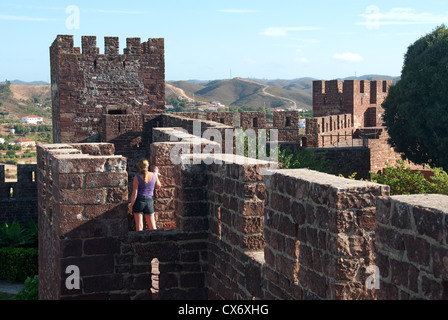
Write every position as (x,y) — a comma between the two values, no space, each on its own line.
(87,85)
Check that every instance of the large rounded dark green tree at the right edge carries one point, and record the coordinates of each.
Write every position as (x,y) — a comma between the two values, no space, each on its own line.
(416,109)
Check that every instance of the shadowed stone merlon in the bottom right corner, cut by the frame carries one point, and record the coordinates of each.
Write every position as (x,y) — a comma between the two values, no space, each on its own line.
(412,241)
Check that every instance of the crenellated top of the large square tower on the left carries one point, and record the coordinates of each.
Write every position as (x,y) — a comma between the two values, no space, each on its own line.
(134,46)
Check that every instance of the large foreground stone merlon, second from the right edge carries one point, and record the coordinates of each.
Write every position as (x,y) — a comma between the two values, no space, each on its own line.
(320,235)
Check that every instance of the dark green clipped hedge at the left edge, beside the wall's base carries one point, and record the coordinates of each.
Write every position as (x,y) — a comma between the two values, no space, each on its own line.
(17,264)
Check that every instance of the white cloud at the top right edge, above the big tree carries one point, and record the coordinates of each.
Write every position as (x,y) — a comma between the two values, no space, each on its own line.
(374,18)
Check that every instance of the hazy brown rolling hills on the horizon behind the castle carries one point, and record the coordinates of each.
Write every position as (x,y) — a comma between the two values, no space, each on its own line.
(237,92)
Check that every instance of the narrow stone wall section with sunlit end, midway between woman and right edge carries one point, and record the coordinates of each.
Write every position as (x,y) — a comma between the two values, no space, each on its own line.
(236,199)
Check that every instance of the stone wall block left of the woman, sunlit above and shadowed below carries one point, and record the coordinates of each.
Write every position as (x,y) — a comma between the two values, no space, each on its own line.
(82,213)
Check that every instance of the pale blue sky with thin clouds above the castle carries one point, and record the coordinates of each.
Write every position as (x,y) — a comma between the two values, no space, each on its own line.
(216,39)
